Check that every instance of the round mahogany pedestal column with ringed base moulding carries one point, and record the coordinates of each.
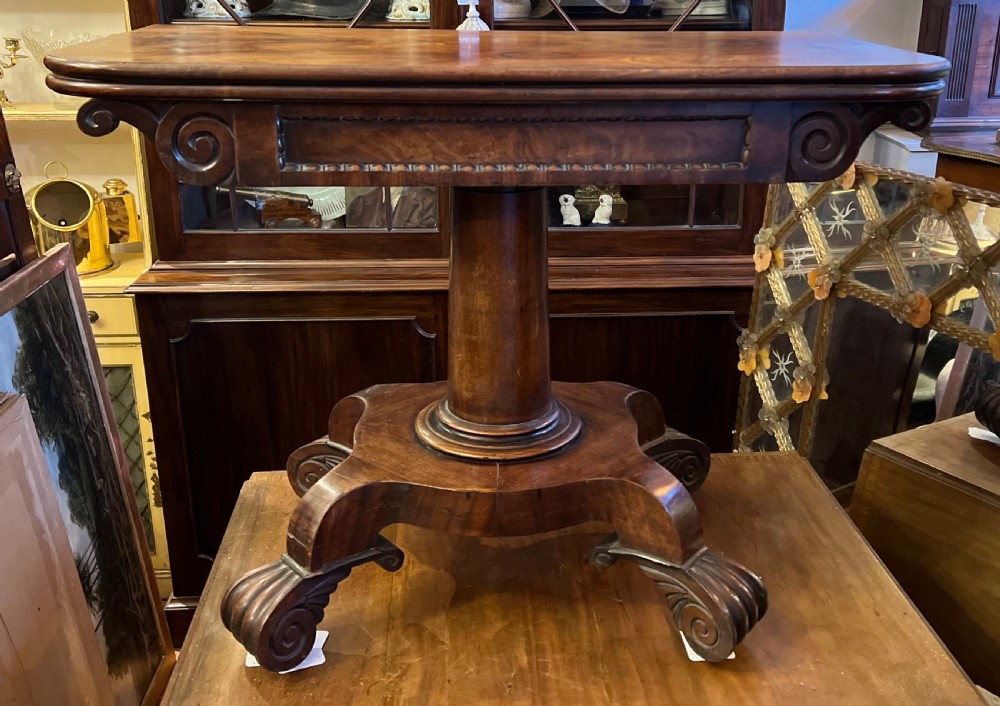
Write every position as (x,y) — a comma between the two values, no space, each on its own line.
(499,404)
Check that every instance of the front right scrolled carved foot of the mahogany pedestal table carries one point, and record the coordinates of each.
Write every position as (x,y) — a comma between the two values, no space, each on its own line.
(714,601)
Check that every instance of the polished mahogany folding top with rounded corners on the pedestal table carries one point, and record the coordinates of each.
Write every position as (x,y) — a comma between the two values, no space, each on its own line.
(310,55)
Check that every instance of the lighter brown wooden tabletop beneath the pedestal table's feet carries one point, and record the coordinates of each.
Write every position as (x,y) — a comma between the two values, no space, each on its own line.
(469,621)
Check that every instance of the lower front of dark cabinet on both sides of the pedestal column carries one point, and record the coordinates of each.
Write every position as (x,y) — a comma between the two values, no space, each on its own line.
(643,336)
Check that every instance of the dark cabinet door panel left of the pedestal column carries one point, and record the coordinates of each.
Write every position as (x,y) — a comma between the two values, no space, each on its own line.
(240,382)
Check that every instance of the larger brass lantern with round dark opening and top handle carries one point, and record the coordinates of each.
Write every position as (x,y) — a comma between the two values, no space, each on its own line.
(64,210)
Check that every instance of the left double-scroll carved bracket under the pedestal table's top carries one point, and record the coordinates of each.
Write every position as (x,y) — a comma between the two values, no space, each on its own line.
(195,141)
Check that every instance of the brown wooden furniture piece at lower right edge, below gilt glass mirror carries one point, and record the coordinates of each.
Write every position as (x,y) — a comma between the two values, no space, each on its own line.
(928,500)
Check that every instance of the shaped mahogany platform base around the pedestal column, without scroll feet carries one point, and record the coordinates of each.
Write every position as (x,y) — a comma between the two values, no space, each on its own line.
(494,499)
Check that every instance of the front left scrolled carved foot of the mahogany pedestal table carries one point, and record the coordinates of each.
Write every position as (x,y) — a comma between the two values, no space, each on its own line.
(274,610)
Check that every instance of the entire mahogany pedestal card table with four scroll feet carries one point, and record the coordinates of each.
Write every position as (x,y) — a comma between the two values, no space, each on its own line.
(498,450)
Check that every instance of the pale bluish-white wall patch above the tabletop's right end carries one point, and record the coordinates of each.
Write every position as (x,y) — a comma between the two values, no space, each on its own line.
(892,22)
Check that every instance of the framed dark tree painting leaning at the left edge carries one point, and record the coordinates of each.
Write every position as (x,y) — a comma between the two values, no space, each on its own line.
(48,356)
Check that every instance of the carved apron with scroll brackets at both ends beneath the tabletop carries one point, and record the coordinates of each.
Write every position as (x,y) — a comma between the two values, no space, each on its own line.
(505,135)
